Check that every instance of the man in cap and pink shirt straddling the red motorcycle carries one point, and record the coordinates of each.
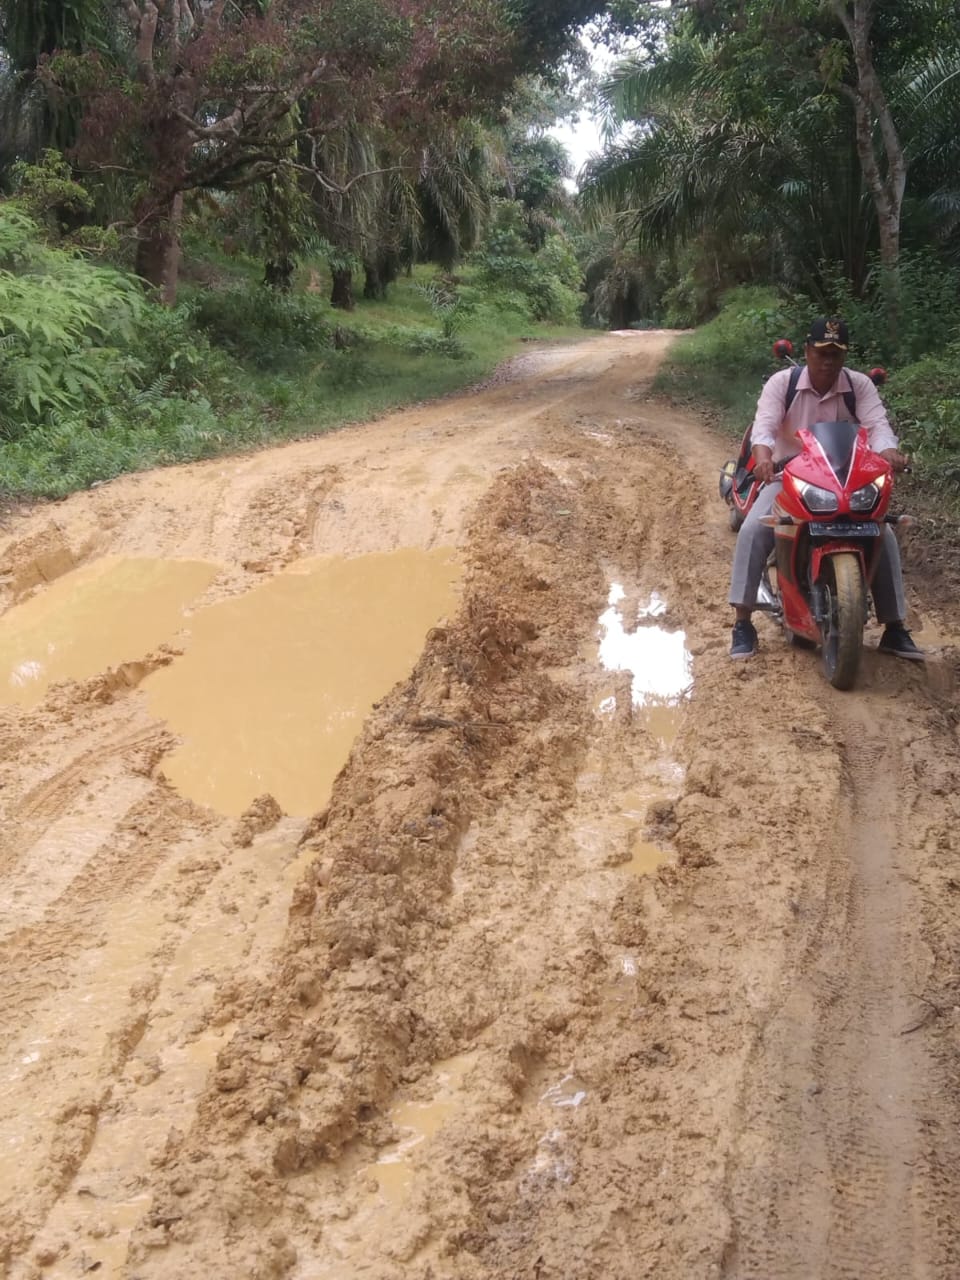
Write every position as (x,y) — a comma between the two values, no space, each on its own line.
(821,396)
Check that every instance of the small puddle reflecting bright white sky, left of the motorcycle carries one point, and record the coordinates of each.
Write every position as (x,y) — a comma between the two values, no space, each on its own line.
(659,660)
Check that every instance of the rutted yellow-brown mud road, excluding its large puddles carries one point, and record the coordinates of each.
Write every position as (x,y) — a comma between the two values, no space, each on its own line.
(551,982)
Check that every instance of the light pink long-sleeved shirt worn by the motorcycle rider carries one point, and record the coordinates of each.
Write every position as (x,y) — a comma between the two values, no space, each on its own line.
(779,433)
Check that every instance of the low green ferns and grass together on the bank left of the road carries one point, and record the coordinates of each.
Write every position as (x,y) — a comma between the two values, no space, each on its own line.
(97,380)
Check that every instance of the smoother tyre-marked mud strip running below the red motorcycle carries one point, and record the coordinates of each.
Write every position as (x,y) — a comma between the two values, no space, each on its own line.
(845,1165)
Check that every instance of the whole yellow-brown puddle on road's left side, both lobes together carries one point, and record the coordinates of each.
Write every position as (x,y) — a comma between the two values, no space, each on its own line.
(272,687)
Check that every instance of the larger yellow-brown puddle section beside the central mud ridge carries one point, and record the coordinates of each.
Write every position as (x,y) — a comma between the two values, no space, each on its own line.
(275,685)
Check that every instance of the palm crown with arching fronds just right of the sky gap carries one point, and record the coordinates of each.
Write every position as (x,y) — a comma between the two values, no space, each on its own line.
(694,163)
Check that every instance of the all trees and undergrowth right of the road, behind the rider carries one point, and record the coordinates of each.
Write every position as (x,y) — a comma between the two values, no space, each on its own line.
(781,159)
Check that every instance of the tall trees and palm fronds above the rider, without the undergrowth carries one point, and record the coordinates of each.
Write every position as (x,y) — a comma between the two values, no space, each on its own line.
(767,144)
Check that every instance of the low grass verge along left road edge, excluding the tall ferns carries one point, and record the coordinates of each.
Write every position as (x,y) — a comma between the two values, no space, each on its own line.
(266,371)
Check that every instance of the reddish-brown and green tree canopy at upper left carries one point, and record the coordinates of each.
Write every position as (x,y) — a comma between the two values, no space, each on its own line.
(168,98)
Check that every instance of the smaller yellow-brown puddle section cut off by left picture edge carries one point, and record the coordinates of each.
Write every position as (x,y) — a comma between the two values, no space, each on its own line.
(99,616)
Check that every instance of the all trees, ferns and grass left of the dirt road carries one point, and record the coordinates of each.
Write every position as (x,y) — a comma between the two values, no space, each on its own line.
(213,153)
